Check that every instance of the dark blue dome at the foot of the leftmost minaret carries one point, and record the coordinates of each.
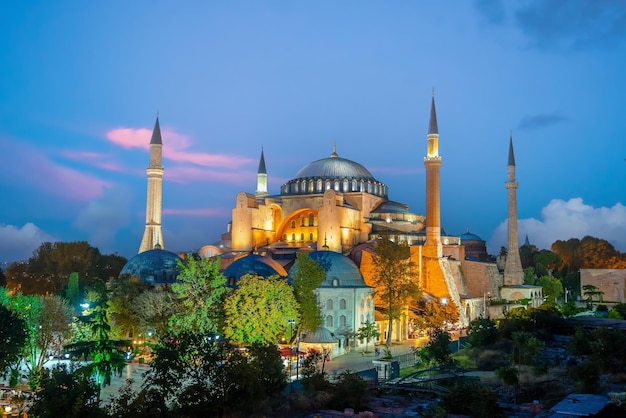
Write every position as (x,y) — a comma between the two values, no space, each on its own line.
(153,266)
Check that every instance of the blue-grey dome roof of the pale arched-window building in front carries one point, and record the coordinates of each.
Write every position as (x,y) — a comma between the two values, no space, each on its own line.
(340,270)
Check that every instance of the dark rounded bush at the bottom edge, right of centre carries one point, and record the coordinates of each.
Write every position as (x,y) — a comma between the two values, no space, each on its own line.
(471,399)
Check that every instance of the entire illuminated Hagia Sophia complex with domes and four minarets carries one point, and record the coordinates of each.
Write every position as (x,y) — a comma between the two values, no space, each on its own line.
(334,209)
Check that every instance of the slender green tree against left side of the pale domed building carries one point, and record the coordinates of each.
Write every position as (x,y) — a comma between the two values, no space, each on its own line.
(307,275)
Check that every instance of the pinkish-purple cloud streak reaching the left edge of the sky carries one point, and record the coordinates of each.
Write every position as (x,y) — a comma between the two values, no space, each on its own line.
(35,169)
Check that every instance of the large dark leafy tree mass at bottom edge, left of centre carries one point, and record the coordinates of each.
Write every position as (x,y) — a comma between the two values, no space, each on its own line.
(198,375)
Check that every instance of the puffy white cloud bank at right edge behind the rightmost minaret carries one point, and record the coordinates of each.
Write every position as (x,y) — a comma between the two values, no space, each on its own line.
(562,220)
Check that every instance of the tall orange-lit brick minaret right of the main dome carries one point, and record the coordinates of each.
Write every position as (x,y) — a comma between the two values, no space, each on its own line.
(432,162)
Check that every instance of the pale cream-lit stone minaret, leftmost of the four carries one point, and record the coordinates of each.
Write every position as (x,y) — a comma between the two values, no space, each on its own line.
(152,236)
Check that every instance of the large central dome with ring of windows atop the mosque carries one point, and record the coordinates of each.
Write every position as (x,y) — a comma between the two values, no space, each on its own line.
(334,173)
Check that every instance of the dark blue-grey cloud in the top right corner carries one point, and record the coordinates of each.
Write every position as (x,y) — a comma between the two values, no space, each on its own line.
(558,24)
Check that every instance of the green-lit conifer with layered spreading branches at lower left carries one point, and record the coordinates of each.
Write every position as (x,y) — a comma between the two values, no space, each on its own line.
(107,355)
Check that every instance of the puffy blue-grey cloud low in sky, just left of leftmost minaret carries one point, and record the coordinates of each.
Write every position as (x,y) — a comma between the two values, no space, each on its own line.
(104,216)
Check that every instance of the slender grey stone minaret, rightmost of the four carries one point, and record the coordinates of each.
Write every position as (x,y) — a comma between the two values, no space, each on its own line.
(513,272)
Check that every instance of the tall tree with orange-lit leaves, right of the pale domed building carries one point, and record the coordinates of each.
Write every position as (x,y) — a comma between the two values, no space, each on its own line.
(395,278)
